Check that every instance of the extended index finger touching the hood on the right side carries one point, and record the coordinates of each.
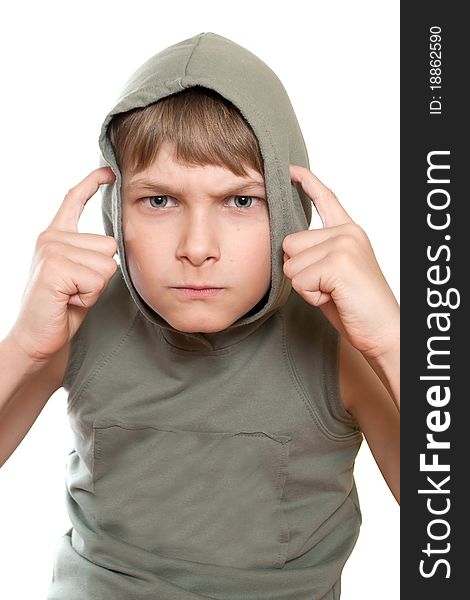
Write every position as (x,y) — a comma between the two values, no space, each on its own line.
(326,203)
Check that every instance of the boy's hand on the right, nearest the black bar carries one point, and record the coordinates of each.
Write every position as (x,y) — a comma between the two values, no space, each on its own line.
(335,269)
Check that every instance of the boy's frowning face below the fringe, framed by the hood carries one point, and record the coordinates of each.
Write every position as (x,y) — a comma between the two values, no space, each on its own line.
(197,241)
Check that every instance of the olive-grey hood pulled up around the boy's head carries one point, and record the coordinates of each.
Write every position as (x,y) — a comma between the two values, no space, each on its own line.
(217,63)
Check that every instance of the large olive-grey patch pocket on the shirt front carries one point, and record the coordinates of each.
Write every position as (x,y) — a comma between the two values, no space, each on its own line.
(207,497)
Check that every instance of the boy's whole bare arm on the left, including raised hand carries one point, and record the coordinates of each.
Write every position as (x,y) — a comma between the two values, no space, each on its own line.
(69,272)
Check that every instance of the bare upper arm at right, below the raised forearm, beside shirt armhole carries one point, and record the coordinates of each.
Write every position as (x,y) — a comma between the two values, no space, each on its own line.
(374,407)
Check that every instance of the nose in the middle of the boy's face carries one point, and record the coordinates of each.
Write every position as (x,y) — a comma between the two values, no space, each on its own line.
(199,241)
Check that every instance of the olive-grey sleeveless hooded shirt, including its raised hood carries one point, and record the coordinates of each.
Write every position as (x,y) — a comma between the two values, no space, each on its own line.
(209,465)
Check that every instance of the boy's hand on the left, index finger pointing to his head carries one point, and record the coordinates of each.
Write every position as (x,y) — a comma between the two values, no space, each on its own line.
(69,272)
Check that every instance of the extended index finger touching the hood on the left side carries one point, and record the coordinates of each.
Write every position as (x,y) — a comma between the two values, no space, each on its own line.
(66,218)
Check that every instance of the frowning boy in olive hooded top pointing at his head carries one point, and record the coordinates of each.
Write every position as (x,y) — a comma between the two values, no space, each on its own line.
(221,379)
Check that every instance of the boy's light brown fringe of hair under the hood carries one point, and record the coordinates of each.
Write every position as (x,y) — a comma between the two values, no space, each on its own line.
(205,128)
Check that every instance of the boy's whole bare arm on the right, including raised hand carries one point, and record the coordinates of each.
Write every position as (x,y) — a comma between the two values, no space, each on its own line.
(335,269)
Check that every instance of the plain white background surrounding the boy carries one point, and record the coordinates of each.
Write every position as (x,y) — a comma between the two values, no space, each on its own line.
(62,67)
